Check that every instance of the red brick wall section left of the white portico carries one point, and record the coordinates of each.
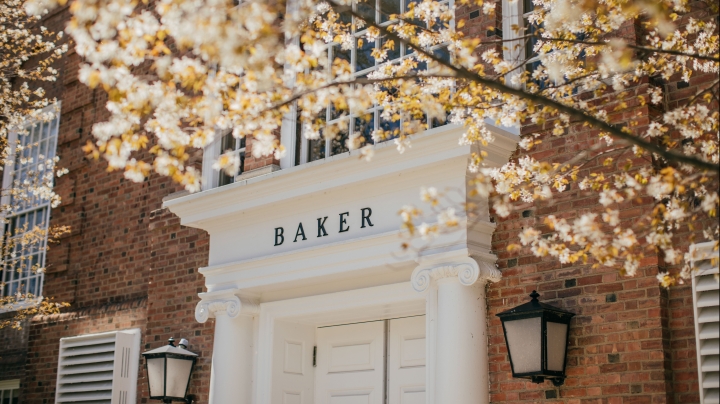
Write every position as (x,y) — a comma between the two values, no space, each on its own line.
(126,263)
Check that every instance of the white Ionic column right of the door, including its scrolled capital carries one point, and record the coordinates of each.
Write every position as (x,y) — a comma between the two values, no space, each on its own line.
(459,370)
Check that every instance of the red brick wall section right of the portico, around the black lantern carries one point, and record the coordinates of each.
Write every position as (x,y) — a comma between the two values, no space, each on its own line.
(632,341)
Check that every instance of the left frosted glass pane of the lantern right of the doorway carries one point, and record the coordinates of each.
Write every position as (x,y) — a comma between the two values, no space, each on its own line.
(524,338)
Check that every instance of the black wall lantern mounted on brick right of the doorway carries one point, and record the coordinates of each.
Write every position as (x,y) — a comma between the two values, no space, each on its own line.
(536,335)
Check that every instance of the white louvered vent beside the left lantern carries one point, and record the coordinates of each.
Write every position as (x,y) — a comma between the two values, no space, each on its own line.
(99,368)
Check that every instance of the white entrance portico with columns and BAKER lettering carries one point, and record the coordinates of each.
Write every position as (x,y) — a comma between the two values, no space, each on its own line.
(314,300)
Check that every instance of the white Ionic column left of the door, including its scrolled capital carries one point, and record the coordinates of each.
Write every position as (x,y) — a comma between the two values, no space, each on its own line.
(232,361)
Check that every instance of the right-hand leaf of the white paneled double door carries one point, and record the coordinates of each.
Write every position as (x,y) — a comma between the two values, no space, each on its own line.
(407,357)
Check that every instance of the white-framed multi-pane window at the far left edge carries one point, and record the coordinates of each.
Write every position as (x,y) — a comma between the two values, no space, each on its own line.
(25,237)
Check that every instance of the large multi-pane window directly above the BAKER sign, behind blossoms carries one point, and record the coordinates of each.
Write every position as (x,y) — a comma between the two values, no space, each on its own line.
(361,59)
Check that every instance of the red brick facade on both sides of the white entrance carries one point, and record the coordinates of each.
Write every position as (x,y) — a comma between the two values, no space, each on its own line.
(128,263)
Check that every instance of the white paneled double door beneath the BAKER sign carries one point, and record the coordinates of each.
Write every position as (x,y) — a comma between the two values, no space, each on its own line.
(378,362)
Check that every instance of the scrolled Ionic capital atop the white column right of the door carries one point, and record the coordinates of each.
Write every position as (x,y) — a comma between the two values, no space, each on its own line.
(467,270)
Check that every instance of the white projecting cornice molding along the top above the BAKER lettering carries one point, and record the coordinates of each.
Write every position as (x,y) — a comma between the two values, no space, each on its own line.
(211,208)
